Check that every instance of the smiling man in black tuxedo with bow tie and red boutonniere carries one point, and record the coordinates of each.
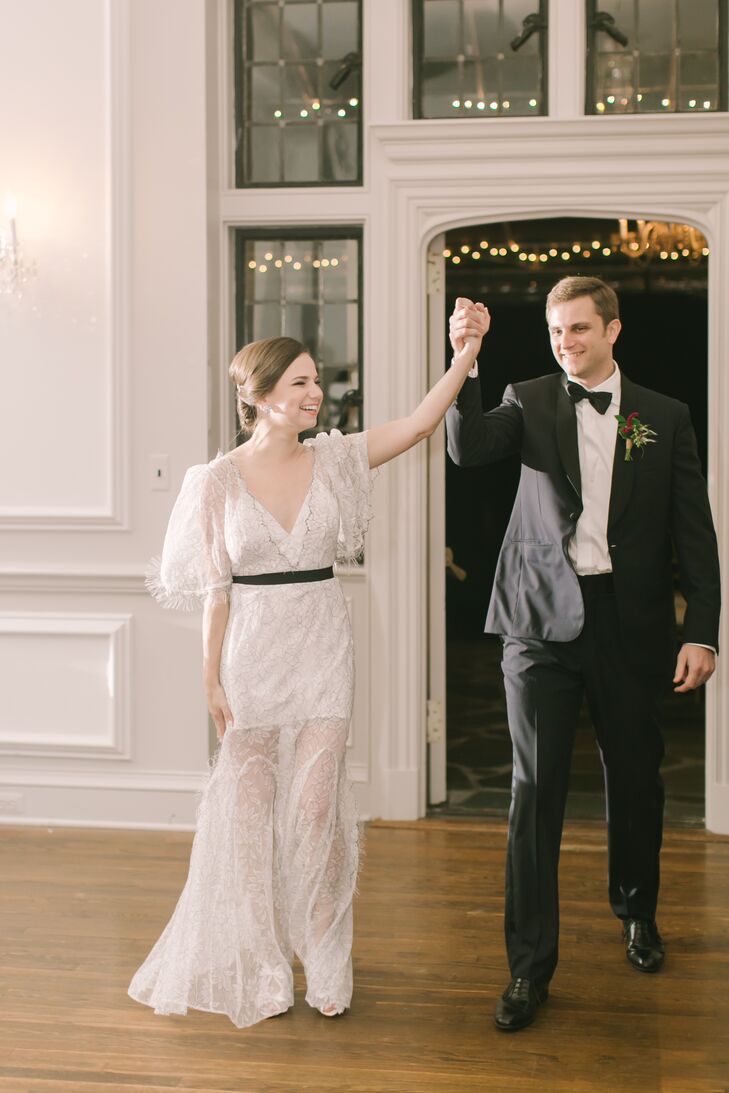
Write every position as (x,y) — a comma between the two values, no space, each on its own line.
(584,603)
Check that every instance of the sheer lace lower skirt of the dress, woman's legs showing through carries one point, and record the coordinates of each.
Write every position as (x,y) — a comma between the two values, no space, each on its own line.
(273,875)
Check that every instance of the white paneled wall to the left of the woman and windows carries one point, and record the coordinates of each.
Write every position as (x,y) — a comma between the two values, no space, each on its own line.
(103,365)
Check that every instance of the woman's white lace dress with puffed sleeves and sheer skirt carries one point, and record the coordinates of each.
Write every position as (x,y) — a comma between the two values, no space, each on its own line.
(275,860)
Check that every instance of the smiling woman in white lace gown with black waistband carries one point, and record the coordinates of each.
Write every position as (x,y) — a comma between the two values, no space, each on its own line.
(253,537)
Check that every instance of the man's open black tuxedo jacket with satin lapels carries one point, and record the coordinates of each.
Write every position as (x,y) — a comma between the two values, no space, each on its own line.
(659,502)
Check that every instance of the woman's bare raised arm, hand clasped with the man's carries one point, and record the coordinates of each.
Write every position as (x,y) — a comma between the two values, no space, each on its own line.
(391,440)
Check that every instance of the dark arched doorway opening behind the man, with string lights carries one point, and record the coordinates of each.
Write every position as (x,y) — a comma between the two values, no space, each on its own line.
(661,275)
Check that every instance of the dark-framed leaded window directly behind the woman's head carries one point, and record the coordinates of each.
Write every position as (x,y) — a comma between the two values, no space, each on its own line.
(308,285)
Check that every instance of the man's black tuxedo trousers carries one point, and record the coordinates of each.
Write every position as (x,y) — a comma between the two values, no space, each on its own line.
(545,684)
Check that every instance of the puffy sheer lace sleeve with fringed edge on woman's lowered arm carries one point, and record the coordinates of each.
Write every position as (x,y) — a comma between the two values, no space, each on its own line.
(195,565)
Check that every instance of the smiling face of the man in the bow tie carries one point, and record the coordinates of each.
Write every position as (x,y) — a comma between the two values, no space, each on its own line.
(581,342)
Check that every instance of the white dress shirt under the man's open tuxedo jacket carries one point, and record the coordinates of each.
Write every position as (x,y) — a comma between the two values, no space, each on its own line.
(596,443)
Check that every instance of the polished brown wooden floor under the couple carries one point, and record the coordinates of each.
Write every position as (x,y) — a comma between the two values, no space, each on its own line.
(81,909)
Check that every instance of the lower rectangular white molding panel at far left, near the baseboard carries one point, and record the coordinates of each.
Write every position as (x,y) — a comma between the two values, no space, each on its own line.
(65,685)
